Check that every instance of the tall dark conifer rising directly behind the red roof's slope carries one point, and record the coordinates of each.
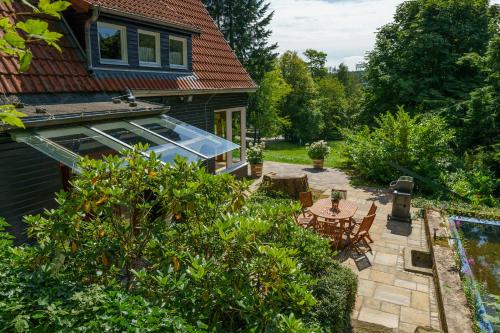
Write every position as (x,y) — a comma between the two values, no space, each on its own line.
(245,25)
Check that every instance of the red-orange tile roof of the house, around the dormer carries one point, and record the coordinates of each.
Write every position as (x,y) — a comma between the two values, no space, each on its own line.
(215,67)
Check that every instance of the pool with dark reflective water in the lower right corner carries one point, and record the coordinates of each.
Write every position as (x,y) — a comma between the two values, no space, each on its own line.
(478,244)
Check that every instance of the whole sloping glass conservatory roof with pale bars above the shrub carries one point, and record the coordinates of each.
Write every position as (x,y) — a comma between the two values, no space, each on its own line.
(166,136)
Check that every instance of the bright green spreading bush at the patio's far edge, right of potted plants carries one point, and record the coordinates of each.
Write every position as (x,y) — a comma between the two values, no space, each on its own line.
(420,144)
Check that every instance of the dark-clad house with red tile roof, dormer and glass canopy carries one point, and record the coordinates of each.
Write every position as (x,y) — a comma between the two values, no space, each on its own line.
(153,72)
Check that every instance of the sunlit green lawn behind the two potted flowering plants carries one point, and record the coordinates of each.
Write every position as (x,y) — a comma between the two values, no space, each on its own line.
(287,152)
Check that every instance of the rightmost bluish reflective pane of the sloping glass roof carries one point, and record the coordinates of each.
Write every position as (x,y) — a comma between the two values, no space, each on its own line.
(188,136)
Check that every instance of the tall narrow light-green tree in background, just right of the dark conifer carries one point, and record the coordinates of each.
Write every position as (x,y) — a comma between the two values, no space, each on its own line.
(301,106)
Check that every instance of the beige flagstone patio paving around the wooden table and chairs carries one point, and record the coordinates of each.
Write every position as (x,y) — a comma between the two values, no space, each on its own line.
(387,294)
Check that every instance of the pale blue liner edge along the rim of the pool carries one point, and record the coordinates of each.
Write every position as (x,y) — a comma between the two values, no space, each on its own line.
(484,323)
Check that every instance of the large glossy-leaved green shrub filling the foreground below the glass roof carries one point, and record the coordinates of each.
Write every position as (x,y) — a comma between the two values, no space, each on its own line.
(169,249)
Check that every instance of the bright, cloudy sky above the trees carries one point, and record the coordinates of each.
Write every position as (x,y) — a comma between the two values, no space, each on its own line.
(344,29)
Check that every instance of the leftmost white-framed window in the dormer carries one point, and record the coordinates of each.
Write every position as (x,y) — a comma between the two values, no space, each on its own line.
(112,43)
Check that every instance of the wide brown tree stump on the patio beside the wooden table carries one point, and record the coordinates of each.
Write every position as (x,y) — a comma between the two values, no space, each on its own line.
(290,184)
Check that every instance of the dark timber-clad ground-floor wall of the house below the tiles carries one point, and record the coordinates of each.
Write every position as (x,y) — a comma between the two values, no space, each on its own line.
(29,179)
